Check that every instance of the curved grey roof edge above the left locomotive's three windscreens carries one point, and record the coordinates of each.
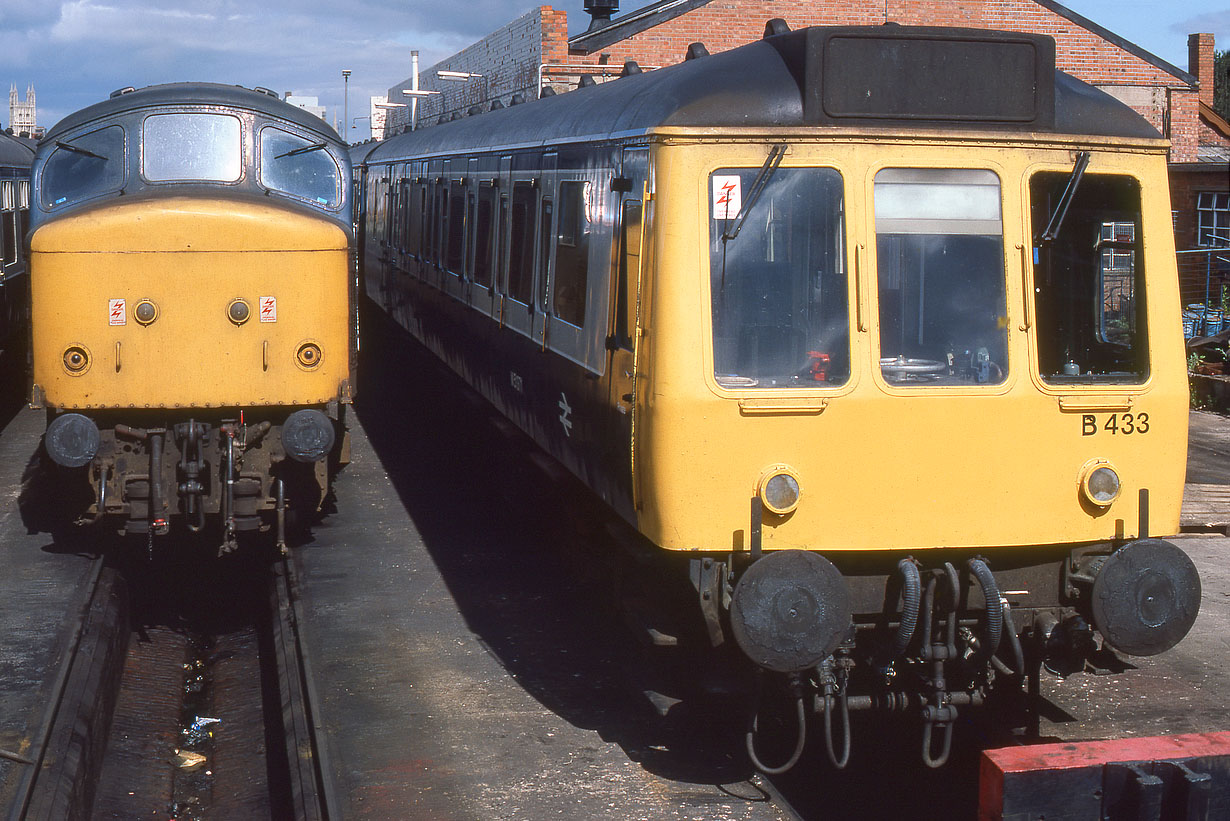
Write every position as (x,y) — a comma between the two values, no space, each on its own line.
(195,94)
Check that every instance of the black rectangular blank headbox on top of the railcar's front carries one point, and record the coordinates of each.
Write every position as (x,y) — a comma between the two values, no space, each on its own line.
(967,77)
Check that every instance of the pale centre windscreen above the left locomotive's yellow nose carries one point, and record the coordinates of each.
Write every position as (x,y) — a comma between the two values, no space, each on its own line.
(192,147)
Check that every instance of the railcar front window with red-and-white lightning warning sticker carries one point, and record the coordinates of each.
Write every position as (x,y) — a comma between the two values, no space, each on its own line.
(778,279)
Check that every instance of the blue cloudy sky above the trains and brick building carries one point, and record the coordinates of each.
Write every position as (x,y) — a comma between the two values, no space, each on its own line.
(77,52)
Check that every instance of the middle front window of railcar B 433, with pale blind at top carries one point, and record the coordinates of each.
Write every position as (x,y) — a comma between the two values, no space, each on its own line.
(942,281)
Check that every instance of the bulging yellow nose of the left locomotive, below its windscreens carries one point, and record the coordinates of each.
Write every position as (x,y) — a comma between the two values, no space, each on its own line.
(280,278)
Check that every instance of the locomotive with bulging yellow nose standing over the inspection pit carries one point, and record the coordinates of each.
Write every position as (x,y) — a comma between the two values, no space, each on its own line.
(194,308)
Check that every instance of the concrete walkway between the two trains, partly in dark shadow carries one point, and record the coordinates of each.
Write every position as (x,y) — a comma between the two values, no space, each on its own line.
(462,668)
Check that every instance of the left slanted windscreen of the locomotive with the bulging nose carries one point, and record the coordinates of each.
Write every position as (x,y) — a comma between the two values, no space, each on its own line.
(84,167)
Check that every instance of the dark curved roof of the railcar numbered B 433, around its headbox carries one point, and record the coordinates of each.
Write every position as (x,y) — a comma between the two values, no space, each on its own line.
(762,84)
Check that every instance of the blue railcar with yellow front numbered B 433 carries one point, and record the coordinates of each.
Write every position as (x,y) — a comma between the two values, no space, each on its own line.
(878,330)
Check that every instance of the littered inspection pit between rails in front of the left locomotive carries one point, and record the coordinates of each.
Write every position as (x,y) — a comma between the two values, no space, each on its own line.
(175,707)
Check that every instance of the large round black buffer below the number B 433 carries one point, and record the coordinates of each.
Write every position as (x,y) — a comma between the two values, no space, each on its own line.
(1146,598)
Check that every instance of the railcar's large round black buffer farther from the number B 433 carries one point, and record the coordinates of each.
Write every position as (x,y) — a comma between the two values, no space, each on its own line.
(790,611)
